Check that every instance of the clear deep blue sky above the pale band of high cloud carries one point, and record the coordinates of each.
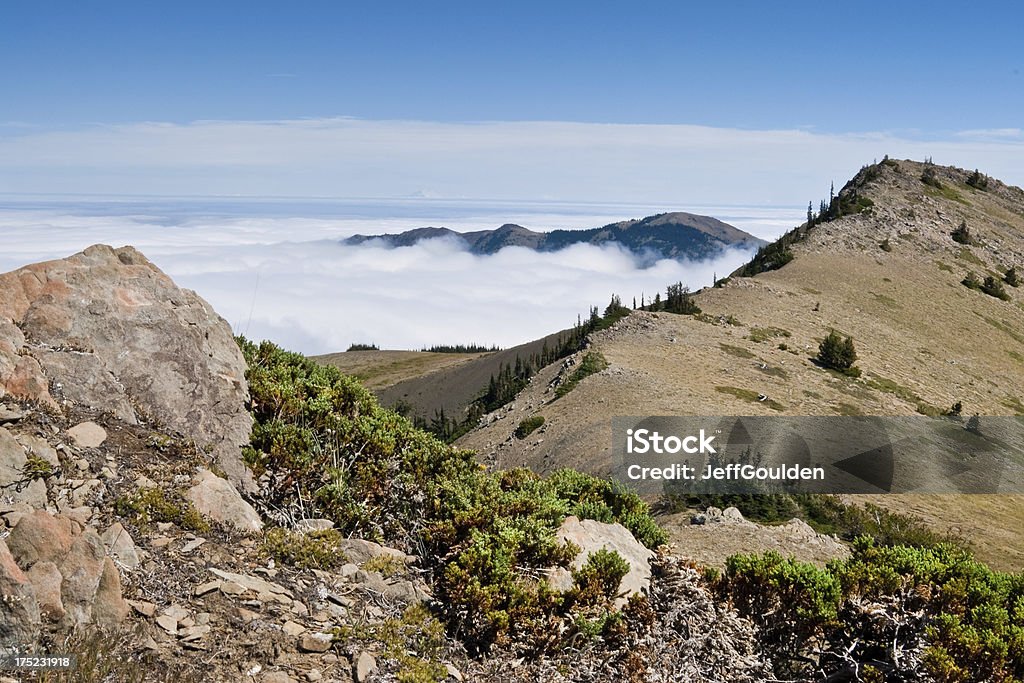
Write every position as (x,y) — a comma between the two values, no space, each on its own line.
(922,68)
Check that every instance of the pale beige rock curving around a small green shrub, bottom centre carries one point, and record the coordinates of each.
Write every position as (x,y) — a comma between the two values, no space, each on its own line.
(591,536)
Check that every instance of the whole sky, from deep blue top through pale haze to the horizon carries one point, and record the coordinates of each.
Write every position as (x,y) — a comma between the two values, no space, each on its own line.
(872,78)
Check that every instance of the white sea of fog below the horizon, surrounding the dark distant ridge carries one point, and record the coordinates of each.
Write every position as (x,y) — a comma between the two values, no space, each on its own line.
(276,269)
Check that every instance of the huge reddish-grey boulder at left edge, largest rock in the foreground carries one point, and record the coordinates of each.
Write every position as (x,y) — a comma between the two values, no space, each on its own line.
(107,329)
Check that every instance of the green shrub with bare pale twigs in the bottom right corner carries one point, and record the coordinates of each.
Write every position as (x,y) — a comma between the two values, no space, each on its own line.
(970,619)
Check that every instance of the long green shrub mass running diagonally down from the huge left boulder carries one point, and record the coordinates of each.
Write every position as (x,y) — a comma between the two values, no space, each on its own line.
(323,439)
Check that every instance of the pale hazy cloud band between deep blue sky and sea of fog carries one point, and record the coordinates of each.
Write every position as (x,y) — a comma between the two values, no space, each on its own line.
(668,164)
